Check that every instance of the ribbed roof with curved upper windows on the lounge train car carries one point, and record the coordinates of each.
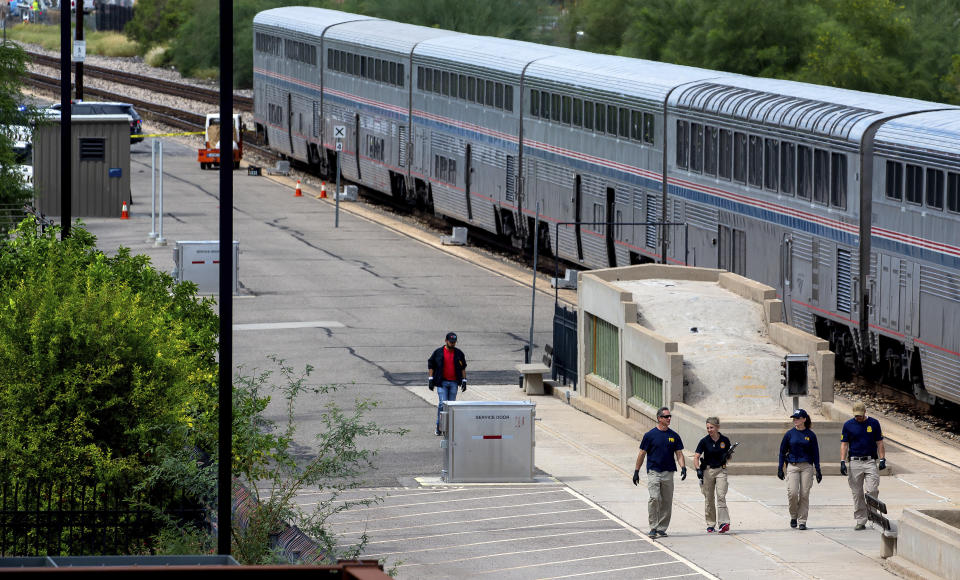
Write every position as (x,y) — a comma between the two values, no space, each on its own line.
(829,111)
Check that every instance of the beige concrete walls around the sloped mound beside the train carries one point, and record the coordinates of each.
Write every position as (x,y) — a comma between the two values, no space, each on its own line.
(659,355)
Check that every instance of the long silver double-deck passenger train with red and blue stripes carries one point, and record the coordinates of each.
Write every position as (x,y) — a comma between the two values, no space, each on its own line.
(847,202)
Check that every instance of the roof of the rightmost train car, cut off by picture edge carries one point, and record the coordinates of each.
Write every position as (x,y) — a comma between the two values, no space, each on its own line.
(935,131)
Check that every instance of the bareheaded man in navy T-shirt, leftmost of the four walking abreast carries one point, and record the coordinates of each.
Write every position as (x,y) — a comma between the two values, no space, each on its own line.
(662,448)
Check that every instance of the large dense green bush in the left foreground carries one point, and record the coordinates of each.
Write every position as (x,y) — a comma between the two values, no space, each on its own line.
(106,364)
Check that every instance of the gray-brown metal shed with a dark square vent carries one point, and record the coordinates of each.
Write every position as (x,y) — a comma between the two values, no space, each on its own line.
(100,170)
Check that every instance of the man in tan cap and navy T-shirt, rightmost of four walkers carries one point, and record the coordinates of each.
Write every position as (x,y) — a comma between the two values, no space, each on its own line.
(861,443)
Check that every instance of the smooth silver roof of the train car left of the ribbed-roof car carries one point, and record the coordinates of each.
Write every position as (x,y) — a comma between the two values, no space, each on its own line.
(645,79)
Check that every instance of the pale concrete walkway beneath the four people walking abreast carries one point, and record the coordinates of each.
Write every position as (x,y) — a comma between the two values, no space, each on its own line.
(597,461)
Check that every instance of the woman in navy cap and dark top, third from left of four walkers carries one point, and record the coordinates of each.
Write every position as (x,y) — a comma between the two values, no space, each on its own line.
(800,457)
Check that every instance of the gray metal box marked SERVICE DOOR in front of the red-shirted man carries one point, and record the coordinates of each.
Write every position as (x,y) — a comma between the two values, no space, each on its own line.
(488,441)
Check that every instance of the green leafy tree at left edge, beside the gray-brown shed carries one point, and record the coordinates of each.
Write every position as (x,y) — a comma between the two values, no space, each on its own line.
(13,190)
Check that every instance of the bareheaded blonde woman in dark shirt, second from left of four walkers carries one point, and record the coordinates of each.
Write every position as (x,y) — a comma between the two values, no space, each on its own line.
(710,461)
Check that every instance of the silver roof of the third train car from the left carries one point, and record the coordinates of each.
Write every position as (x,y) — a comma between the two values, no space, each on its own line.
(510,56)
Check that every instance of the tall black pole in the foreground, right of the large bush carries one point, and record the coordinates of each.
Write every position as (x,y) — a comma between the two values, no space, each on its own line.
(225,447)
